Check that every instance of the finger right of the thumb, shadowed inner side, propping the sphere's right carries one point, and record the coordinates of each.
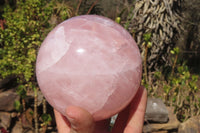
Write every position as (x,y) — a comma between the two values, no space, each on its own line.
(132,117)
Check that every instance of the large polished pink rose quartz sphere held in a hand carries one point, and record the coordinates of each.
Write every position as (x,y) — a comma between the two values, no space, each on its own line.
(91,62)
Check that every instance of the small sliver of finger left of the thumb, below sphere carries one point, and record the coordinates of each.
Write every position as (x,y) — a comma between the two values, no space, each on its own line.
(63,124)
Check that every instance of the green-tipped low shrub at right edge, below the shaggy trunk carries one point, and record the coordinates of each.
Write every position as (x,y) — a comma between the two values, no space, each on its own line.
(179,89)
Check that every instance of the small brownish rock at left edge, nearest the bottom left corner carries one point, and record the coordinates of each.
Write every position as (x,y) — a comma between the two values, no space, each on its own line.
(5,120)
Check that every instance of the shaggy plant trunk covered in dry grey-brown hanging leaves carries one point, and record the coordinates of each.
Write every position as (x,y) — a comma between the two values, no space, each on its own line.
(161,19)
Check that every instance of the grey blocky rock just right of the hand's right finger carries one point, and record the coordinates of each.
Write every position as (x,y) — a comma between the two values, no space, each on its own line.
(156,111)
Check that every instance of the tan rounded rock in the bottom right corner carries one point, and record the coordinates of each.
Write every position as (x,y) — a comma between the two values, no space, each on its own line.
(192,125)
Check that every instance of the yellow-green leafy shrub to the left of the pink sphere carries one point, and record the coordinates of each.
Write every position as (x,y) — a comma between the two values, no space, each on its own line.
(21,38)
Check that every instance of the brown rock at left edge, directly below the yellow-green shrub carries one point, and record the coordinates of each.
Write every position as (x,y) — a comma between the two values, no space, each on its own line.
(7,99)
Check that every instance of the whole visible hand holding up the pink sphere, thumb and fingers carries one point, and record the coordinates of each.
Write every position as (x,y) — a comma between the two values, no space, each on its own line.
(129,120)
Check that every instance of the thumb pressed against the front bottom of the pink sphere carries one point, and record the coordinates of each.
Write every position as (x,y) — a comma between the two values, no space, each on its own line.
(81,120)
